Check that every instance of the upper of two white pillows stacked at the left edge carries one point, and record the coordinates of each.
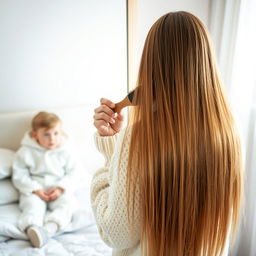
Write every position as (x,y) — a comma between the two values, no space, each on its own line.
(6,159)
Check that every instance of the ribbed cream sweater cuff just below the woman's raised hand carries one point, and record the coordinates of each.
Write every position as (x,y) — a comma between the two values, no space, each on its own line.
(105,144)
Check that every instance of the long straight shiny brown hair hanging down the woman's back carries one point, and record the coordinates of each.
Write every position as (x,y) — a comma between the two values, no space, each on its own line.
(185,151)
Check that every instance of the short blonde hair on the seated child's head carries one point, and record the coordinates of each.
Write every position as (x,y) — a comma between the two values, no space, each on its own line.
(45,120)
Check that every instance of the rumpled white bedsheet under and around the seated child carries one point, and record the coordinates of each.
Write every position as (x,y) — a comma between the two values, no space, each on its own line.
(80,238)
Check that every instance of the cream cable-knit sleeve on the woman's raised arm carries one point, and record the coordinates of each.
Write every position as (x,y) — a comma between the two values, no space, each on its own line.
(108,195)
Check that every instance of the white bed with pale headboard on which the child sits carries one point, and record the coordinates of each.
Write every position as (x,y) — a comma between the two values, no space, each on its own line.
(81,236)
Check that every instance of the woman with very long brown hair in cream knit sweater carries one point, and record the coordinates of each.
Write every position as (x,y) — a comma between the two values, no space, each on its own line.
(172,182)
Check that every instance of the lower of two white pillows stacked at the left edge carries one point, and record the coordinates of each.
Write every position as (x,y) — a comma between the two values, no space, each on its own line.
(8,193)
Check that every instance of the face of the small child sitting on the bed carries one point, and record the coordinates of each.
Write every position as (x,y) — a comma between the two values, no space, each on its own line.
(48,138)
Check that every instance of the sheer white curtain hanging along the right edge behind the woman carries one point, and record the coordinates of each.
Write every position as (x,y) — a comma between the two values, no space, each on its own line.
(233,26)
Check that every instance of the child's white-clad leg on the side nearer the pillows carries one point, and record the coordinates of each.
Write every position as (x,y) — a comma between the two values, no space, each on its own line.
(33,211)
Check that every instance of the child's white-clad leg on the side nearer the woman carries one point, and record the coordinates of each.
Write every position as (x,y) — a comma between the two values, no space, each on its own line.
(61,212)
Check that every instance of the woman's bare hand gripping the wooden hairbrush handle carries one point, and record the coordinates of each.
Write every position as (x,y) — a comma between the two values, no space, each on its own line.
(107,122)
